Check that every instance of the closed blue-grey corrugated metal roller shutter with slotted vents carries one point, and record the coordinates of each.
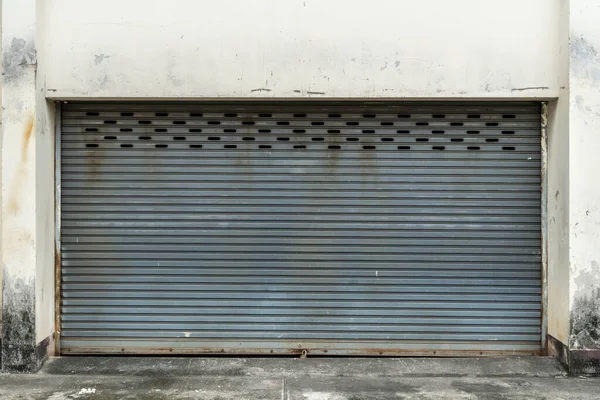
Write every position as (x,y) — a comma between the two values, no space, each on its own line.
(333,227)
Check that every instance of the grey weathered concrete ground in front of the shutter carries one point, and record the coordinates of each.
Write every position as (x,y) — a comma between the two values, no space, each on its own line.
(104,378)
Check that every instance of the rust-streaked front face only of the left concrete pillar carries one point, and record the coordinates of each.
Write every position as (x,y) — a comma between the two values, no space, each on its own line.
(18,183)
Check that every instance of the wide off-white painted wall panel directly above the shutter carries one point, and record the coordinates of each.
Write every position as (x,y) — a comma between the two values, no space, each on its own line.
(301,48)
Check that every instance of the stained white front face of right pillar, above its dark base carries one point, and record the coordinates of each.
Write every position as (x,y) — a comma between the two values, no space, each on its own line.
(584,167)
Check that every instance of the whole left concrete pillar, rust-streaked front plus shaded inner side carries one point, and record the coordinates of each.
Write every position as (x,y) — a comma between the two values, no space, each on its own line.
(27,190)
